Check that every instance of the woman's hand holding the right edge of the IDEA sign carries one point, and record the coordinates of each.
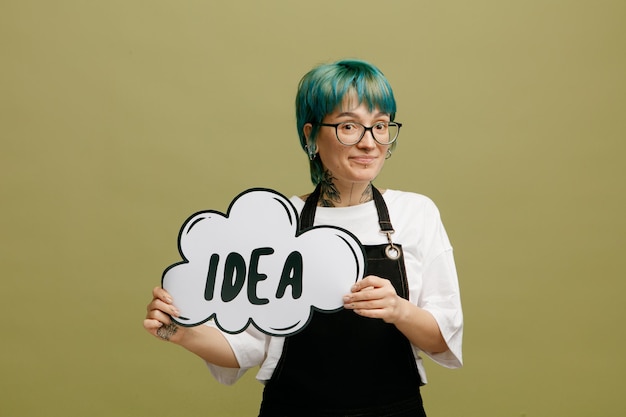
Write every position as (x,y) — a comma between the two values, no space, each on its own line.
(375,297)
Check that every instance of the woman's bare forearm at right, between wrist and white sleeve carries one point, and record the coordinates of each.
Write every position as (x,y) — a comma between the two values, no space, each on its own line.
(420,327)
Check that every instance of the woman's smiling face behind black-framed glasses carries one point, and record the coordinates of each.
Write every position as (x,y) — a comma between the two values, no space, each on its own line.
(359,163)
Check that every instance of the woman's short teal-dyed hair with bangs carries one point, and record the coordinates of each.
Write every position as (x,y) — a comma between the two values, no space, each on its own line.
(323,89)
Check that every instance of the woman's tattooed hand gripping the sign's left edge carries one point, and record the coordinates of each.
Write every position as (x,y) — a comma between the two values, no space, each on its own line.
(158,321)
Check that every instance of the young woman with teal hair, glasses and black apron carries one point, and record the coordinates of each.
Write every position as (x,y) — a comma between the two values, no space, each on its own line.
(365,359)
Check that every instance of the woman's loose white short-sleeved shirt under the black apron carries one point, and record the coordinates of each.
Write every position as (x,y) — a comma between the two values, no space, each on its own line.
(431,273)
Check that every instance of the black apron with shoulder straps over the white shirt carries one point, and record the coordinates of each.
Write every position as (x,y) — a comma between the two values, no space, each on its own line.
(342,364)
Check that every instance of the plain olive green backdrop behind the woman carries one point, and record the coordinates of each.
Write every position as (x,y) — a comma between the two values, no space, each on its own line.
(118,119)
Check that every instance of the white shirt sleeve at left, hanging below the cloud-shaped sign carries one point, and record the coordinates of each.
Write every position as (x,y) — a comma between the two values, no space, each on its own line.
(249,348)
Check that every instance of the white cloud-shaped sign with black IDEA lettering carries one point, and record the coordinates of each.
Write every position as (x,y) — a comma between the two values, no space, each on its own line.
(253,266)
